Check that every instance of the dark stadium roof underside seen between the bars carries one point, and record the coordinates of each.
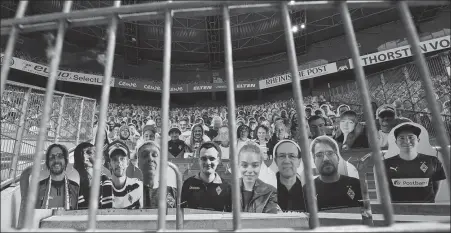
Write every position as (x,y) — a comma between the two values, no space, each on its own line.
(198,39)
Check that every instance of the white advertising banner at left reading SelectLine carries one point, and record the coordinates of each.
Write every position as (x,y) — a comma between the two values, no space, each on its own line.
(62,75)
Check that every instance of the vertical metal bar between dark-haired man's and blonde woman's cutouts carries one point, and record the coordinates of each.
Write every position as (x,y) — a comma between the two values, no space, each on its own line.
(236,194)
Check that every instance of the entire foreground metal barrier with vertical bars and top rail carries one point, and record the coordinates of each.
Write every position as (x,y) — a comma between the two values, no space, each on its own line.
(166,10)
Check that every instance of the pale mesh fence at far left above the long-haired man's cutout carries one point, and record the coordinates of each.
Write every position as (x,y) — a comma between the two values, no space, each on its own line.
(71,121)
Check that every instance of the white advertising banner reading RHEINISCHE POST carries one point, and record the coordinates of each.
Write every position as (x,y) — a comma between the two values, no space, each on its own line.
(303,74)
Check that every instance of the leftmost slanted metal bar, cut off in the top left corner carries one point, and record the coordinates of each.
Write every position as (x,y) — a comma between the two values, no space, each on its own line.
(10,46)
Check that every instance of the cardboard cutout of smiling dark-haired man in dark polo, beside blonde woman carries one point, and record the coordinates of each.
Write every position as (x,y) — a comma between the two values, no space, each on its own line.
(207,190)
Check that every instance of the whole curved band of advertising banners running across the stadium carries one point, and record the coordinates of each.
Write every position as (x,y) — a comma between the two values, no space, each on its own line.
(370,59)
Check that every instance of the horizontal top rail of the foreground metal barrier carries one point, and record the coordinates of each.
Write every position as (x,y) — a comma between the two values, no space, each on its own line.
(99,16)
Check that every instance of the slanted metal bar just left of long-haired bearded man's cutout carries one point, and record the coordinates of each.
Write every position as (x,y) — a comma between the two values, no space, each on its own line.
(54,63)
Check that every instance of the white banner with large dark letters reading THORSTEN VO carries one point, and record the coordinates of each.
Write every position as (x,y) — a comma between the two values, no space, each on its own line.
(404,51)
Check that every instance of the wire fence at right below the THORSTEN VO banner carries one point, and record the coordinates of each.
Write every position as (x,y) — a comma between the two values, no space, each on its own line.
(400,86)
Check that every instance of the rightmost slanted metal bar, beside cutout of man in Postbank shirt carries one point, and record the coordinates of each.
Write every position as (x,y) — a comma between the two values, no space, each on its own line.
(425,75)
